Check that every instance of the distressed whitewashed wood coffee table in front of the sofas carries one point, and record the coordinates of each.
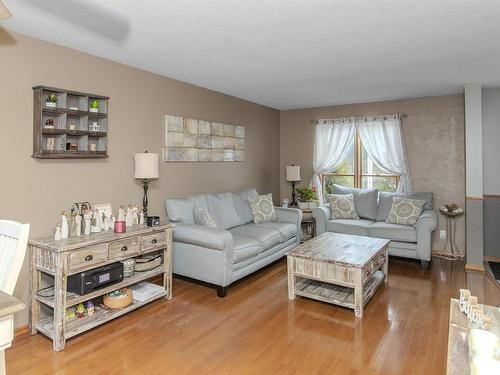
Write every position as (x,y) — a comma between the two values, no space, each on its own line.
(337,268)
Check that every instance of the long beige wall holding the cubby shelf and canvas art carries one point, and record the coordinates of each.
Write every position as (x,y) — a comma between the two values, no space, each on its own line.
(35,191)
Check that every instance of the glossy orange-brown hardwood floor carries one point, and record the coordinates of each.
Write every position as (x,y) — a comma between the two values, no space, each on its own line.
(256,330)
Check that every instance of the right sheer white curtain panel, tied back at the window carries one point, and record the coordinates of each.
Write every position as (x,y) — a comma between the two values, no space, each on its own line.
(383,140)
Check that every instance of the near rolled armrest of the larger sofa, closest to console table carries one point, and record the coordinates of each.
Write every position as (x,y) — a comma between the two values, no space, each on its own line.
(201,235)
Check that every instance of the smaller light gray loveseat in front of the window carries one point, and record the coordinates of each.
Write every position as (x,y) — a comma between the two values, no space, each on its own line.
(373,208)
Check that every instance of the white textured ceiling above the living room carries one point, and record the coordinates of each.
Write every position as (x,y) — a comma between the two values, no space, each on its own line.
(285,54)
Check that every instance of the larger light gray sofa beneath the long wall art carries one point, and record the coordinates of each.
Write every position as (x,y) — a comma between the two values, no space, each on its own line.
(238,247)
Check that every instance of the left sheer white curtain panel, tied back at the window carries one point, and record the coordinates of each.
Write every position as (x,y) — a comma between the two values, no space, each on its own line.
(331,146)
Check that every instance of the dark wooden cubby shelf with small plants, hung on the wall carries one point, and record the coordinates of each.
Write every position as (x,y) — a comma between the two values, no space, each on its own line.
(72,128)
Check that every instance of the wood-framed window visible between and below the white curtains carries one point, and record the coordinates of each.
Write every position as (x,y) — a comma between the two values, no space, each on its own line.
(360,171)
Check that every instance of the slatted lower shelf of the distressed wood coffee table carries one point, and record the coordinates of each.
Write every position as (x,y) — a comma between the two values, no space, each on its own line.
(336,294)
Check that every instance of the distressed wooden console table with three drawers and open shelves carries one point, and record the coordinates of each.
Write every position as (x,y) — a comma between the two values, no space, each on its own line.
(60,259)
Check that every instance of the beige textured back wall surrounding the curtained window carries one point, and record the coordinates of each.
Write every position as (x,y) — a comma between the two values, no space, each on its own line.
(434,136)
